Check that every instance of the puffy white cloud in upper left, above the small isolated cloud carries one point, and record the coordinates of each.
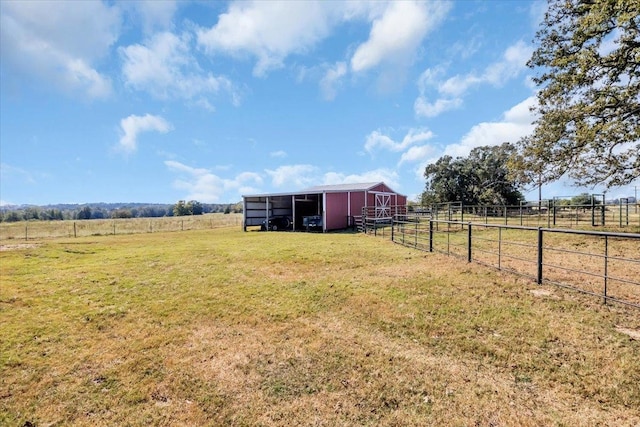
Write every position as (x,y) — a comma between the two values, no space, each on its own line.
(165,67)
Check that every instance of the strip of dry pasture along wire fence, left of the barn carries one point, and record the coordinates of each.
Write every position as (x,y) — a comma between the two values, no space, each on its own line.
(28,230)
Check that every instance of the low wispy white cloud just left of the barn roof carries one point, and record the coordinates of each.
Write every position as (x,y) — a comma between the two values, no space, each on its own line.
(202,185)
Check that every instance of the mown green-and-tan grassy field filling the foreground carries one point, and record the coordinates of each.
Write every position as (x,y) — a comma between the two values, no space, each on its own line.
(221,327)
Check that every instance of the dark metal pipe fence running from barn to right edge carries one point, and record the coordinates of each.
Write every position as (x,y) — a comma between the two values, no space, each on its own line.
(597,263)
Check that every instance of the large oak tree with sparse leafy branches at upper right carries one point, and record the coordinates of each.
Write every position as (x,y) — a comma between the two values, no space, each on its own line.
(588,126)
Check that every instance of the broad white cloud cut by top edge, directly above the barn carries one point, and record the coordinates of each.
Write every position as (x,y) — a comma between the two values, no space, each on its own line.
(269,31)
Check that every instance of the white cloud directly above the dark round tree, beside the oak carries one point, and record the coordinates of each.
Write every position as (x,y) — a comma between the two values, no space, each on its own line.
(515,124)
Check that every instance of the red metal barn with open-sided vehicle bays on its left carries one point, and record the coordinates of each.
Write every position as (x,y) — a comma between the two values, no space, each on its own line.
(325,207)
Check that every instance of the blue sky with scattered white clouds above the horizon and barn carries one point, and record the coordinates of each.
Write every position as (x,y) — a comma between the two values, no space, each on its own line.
(157,101)
